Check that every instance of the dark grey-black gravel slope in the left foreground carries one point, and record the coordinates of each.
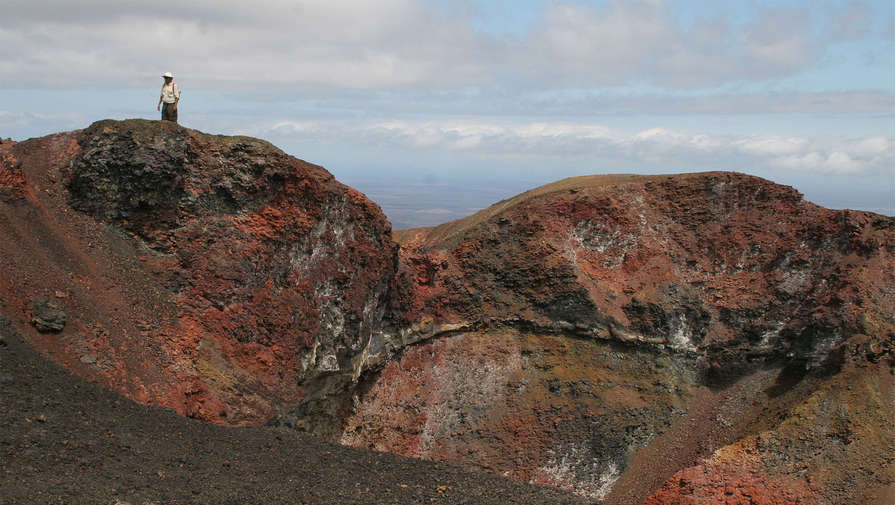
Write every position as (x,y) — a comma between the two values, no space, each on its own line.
(66,441)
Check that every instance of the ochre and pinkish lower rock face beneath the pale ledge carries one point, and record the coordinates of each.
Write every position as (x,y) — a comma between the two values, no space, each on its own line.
(541,408)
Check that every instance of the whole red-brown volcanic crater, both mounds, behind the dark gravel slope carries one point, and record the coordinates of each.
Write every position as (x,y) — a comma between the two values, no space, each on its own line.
(692,338)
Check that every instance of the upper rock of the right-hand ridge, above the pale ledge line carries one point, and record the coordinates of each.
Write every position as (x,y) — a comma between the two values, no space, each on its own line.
(729,267)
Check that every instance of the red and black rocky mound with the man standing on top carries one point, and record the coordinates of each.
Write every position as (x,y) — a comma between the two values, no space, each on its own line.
(215,275)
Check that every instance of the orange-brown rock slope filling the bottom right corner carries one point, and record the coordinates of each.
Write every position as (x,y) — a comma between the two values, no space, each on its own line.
(824,441)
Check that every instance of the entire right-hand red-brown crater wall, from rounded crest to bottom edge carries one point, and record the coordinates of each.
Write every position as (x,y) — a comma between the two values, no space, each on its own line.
(712,337)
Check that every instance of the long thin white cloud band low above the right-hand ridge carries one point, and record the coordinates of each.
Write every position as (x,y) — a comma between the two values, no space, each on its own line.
(660,146)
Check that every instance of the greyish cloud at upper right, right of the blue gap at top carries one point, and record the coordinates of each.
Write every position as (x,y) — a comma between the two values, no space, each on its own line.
(637,41)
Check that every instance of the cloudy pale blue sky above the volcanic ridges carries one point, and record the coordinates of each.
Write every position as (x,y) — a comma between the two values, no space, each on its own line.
(497,94)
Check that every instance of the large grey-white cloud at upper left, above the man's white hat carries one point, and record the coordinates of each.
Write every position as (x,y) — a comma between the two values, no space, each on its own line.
(346,43)
